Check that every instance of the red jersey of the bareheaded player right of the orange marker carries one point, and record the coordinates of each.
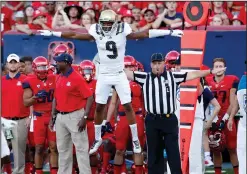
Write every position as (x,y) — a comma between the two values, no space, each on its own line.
(222,89)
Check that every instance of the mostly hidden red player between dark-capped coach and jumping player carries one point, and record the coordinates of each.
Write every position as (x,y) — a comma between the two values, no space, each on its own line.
(88,72)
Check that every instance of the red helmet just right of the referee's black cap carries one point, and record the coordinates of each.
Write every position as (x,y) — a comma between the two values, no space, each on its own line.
(172,59)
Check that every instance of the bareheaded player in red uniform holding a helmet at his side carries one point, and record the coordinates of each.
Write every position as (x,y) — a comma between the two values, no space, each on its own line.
(224,88)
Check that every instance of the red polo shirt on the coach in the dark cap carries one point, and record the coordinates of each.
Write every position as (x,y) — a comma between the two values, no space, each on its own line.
(71,92)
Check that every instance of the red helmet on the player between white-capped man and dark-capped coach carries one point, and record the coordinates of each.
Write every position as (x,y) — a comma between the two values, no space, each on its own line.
(40,67)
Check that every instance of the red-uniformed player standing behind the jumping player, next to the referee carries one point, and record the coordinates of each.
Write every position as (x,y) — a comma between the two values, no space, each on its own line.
(122,131)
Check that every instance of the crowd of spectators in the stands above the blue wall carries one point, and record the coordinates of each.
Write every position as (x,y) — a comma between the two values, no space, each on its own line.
(27,16)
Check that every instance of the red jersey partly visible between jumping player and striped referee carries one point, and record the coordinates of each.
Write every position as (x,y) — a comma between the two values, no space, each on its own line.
(136,95)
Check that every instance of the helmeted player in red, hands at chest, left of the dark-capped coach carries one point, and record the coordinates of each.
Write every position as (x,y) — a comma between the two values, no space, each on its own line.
(38,92)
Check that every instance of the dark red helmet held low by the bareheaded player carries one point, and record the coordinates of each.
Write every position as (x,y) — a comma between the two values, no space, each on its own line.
(217,141)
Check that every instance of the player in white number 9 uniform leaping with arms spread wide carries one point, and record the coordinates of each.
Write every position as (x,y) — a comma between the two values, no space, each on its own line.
(110,37)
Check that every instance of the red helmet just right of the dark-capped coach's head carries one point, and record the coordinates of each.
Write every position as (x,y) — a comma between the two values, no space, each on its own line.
(87,69)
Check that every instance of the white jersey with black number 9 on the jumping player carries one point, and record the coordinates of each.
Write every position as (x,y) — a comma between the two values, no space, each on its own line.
(111,48)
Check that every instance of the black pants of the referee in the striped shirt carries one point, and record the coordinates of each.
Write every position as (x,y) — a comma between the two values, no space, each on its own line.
(162,131)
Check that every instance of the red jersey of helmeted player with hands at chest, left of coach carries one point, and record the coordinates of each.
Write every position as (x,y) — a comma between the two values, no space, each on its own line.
(36,85)
